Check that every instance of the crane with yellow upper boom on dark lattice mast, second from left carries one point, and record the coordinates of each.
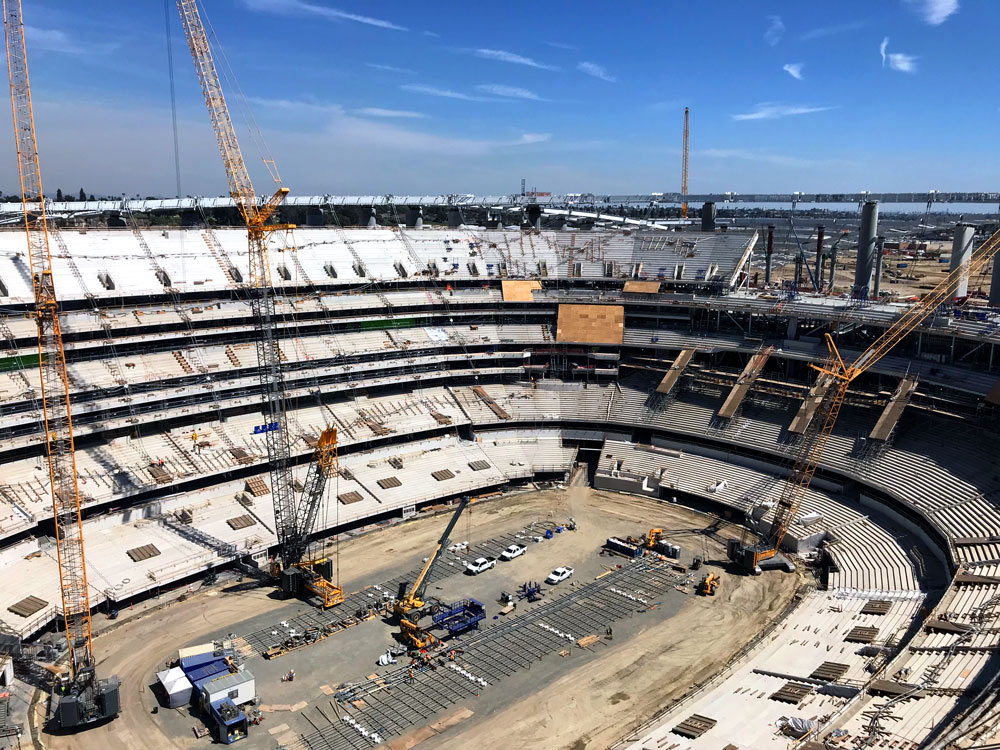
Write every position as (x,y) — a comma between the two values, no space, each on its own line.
(293,521)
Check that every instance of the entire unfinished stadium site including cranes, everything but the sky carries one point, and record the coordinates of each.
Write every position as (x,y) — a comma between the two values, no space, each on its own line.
(584,471)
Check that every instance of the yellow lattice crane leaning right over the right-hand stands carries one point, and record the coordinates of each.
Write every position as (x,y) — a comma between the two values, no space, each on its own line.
(817,434)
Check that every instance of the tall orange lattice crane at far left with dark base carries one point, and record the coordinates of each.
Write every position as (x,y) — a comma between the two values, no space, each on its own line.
(79,698)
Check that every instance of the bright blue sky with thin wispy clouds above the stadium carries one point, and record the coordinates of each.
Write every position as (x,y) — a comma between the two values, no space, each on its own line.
(361,97)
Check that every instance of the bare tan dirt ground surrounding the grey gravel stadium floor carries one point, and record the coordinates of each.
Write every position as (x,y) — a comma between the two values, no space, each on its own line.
(593,699)
